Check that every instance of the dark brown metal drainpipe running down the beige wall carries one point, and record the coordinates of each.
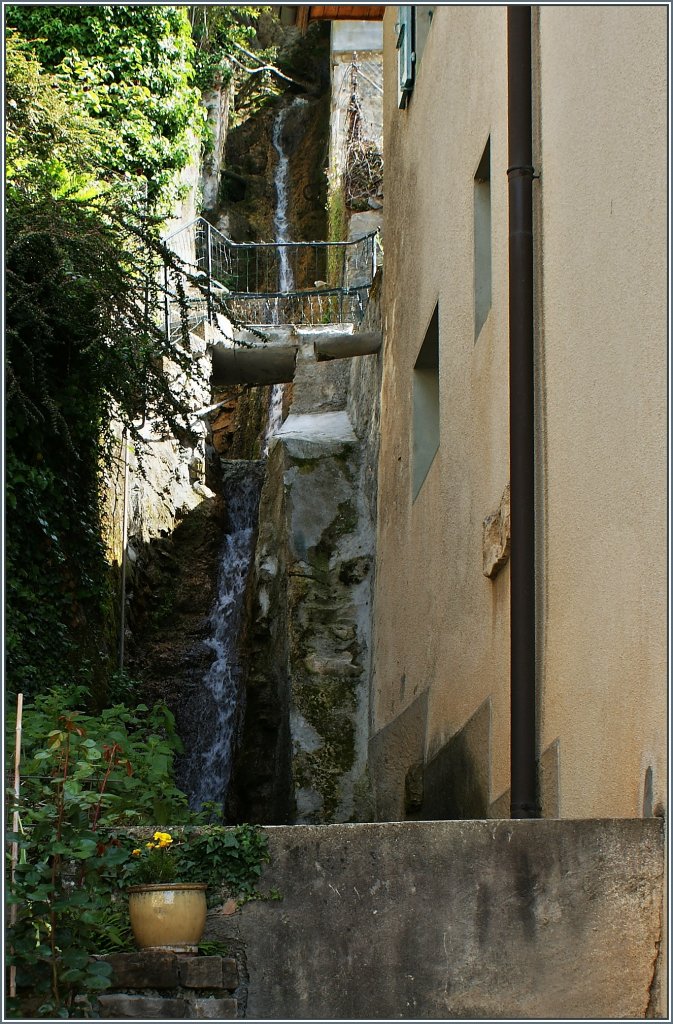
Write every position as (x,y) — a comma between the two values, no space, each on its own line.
(524,792)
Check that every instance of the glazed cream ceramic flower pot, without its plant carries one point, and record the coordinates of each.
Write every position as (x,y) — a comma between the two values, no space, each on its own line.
(169,917)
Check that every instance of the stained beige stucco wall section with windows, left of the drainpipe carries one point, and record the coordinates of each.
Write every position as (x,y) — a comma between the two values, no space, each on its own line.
(441,625)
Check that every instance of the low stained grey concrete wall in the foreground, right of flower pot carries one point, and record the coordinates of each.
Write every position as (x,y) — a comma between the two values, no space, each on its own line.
(478,920)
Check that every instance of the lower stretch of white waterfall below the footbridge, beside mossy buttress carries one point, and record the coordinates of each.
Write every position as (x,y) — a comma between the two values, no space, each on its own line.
(212,767)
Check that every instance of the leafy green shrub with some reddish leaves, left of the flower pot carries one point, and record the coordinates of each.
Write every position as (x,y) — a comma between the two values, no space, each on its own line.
(83,778)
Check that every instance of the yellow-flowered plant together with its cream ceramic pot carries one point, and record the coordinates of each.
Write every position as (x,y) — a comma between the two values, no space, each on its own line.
(165,914)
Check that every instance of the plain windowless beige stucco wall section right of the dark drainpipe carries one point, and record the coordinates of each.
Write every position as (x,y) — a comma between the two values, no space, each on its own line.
(604,331)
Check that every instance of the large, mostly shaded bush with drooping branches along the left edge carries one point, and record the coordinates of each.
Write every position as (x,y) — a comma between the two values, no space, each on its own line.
(85,344)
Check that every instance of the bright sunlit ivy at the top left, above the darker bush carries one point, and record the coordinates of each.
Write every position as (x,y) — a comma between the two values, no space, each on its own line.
(129,68)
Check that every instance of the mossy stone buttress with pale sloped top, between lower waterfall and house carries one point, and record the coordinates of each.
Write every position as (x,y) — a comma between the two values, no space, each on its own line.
(309,641)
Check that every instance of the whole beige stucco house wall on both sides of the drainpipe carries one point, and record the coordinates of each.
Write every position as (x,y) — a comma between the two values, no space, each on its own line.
(441,626)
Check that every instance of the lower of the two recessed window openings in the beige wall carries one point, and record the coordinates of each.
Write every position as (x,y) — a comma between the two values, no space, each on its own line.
(427,405)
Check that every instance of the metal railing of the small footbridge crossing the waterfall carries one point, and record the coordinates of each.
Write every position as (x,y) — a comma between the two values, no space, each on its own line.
(241,279)
